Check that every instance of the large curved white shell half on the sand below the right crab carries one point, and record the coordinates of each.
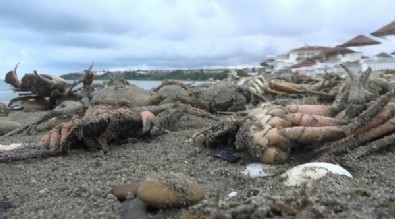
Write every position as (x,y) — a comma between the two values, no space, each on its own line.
(308,172)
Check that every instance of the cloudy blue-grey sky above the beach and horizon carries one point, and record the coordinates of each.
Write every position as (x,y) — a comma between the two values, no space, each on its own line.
(65,36)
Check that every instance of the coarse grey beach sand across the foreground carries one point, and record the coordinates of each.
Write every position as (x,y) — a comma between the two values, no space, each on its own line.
(78,185)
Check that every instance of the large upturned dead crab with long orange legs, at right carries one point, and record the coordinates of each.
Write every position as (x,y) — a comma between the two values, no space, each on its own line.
(357,117)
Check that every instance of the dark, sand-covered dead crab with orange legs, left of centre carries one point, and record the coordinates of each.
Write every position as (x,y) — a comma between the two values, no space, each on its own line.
(100,126)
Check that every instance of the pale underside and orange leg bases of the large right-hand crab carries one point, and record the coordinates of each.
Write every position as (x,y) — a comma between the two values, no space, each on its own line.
(271,131)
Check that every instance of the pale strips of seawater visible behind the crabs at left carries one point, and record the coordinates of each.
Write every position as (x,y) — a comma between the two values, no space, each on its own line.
(6,92)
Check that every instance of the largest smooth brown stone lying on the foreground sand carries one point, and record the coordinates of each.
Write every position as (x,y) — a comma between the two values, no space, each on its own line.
(170,190)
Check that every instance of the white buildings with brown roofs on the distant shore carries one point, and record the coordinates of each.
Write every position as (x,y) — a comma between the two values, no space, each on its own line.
(320,59)
